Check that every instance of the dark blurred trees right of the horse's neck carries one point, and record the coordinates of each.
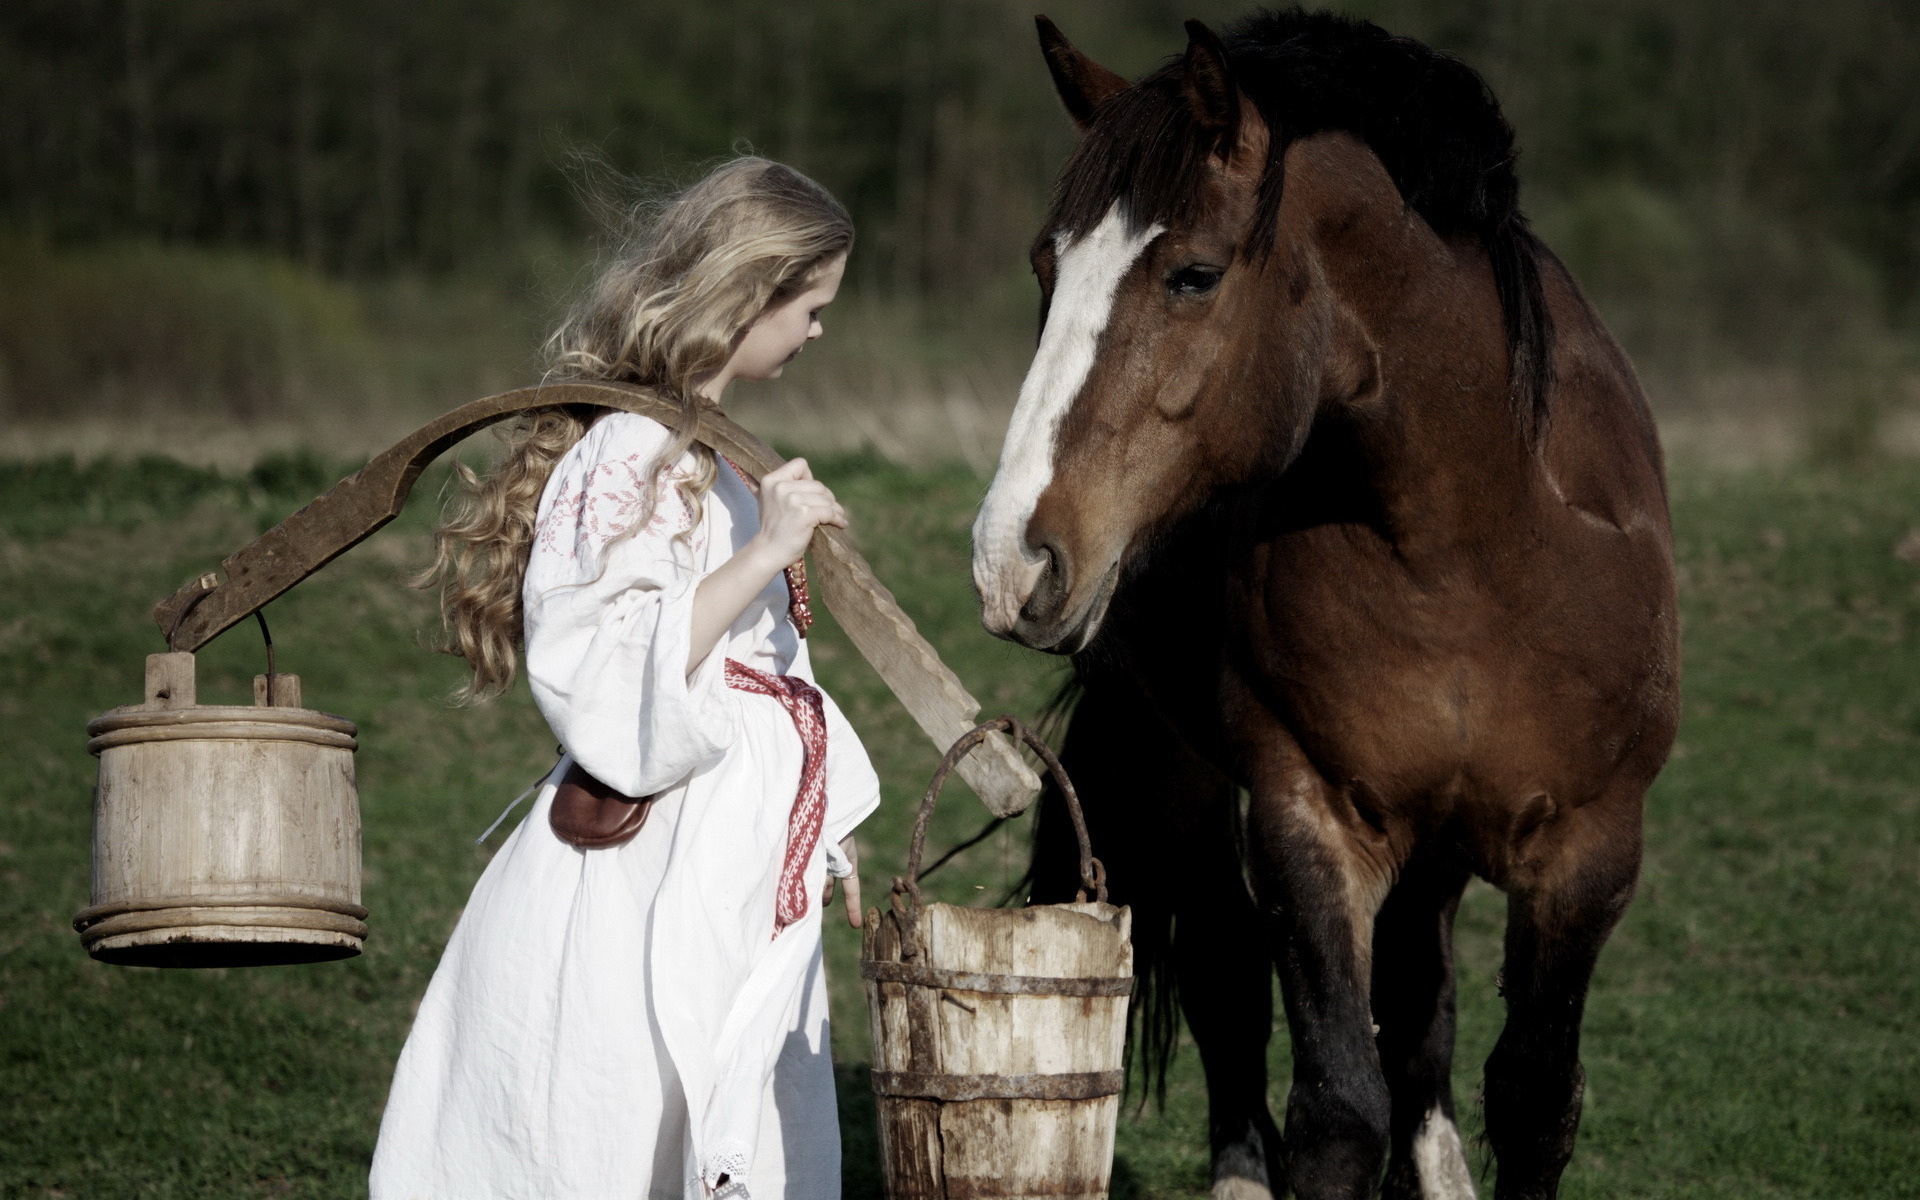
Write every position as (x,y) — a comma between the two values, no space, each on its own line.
(1729,178)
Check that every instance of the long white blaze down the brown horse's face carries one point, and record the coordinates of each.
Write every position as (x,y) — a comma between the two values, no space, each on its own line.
(1090,272)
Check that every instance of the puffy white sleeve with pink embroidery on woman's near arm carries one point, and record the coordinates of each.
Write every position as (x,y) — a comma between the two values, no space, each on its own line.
(610,615)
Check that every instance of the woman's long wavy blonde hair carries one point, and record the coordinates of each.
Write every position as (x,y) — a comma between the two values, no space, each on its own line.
(667,312)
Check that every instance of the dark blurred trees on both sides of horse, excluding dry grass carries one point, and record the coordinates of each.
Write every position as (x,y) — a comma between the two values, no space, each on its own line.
(1725,174)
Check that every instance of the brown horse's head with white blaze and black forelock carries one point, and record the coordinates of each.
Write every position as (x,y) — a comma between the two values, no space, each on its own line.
(1197,318)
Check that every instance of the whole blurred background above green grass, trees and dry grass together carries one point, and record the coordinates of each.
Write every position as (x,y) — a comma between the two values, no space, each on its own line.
(228,228)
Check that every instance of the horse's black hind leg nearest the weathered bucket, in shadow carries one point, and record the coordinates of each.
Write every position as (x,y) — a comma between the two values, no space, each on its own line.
(1163,823)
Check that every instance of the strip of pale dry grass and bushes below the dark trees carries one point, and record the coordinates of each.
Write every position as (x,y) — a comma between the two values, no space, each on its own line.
(222,360)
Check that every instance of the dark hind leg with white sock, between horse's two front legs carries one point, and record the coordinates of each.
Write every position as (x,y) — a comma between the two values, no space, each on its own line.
(1414,1009)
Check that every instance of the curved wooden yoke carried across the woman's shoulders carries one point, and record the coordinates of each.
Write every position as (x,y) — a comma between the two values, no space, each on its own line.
(364,502)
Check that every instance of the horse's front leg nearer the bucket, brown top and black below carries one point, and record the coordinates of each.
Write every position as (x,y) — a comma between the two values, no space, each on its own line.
(1320,875)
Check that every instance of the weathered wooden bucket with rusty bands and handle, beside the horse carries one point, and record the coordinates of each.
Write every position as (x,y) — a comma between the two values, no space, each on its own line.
(999,1032)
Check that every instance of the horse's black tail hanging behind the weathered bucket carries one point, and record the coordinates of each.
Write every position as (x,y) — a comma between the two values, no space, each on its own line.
(1101,744)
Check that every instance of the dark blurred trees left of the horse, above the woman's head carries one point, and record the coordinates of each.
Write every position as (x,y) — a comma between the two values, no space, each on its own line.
(366,137)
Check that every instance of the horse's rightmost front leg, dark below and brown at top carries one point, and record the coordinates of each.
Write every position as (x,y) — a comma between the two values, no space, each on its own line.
(1579,875)
